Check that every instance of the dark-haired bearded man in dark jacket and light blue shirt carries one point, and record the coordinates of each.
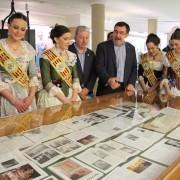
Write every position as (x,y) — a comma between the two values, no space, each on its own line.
(116,63)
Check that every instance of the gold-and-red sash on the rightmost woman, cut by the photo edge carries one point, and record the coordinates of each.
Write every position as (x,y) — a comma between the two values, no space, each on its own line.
(175,64)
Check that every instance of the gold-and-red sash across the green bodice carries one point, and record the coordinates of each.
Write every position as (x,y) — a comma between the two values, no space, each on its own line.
(60,66)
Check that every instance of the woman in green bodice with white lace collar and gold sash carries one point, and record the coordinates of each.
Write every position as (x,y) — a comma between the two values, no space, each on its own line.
(58,70)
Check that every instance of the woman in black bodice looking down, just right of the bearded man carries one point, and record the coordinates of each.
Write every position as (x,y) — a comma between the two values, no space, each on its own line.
(150,72)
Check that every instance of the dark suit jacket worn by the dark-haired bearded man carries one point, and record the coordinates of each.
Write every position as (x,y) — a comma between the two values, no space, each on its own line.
(106,66)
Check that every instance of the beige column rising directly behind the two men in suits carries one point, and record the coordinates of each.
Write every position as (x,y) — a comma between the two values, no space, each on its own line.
(97,22)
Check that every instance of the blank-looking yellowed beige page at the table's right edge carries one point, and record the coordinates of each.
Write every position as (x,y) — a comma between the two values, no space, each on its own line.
(166,120)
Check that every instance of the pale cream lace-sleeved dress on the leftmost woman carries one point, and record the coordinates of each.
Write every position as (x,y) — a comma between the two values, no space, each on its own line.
(27,62)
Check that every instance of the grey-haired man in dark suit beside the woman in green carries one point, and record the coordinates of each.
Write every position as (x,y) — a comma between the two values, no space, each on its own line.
(85,61)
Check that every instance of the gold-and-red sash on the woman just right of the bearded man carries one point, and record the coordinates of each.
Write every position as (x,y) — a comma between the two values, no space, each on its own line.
(149,73)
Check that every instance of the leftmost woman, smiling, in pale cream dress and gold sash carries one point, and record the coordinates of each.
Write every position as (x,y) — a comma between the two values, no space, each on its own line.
(18,72)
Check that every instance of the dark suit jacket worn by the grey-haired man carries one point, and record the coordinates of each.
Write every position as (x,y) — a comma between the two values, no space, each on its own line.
(88,76)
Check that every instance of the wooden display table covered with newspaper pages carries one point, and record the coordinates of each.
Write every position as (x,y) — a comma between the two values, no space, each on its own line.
(139,154)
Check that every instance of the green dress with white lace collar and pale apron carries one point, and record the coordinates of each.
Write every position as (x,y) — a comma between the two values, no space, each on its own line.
(53,83)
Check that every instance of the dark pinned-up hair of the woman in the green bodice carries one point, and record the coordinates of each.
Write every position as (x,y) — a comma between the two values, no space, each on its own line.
(58,31)
